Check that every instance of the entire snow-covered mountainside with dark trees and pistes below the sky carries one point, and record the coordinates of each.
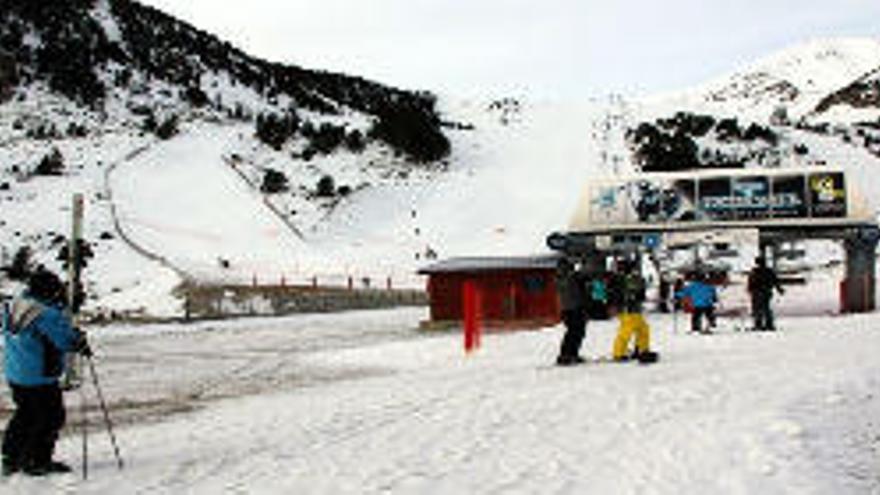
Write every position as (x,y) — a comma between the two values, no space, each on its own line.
(199,161)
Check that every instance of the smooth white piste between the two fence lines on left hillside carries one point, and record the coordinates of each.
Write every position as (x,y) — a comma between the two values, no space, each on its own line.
(183,202)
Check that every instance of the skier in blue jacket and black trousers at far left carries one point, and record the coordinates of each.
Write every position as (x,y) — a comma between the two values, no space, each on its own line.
(37,334)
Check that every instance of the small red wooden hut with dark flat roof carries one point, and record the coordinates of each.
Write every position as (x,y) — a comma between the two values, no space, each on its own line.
(514,292)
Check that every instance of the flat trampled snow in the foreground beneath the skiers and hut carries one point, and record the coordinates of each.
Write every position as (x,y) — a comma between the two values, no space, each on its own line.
(363,403)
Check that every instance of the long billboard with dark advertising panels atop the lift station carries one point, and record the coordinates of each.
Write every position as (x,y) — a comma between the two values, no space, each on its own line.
(749,196)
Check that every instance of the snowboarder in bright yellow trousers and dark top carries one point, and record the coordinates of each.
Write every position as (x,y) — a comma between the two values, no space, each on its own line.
(628,296)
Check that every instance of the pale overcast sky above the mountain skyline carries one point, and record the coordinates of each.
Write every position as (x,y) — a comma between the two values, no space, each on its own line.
(558,49)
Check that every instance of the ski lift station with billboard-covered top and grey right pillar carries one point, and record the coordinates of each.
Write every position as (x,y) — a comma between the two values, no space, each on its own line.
(650,213)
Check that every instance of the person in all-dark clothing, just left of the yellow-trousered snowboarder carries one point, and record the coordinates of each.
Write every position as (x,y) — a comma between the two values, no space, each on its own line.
(571,284)
